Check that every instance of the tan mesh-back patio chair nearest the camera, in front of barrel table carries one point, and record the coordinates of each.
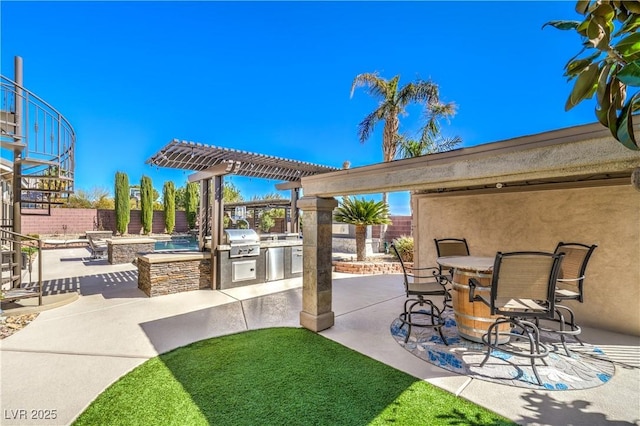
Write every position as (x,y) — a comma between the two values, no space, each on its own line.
(522,287)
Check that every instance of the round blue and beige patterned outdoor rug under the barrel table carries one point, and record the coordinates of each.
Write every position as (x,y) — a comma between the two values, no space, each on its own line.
(587,366)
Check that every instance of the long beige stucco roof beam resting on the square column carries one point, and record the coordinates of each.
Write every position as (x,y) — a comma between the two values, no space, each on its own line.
(577,154)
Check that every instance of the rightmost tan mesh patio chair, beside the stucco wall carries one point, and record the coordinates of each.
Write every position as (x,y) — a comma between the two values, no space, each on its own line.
(570,286)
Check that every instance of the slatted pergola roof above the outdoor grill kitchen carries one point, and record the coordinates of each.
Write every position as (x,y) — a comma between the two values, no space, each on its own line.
(211,160)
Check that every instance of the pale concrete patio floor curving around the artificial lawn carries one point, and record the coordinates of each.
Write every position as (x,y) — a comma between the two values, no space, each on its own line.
(66,357)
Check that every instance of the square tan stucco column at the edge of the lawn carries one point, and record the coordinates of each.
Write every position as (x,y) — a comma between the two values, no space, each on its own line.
(317,219)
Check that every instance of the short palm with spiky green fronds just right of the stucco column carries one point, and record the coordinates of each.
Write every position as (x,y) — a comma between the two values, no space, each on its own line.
(362,213)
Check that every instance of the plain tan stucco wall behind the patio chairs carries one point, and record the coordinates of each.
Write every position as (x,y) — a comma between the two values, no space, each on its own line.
(538,220)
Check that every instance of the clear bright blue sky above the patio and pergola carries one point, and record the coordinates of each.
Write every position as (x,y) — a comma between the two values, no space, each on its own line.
(275,77)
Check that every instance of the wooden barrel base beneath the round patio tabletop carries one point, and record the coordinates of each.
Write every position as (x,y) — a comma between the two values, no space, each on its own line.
(474,318)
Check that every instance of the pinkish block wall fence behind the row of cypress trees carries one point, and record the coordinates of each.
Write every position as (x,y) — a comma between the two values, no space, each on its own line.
(78,221)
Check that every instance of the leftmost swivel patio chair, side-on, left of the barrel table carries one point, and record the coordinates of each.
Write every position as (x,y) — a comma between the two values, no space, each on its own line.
(419,285)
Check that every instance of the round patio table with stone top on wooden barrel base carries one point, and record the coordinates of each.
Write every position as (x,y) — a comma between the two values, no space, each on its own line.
(472,318)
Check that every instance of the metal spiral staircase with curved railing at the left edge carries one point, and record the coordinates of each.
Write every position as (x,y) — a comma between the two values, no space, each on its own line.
(37,173)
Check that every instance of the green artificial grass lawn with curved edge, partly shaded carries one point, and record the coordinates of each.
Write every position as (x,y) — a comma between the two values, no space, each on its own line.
(278,376)
